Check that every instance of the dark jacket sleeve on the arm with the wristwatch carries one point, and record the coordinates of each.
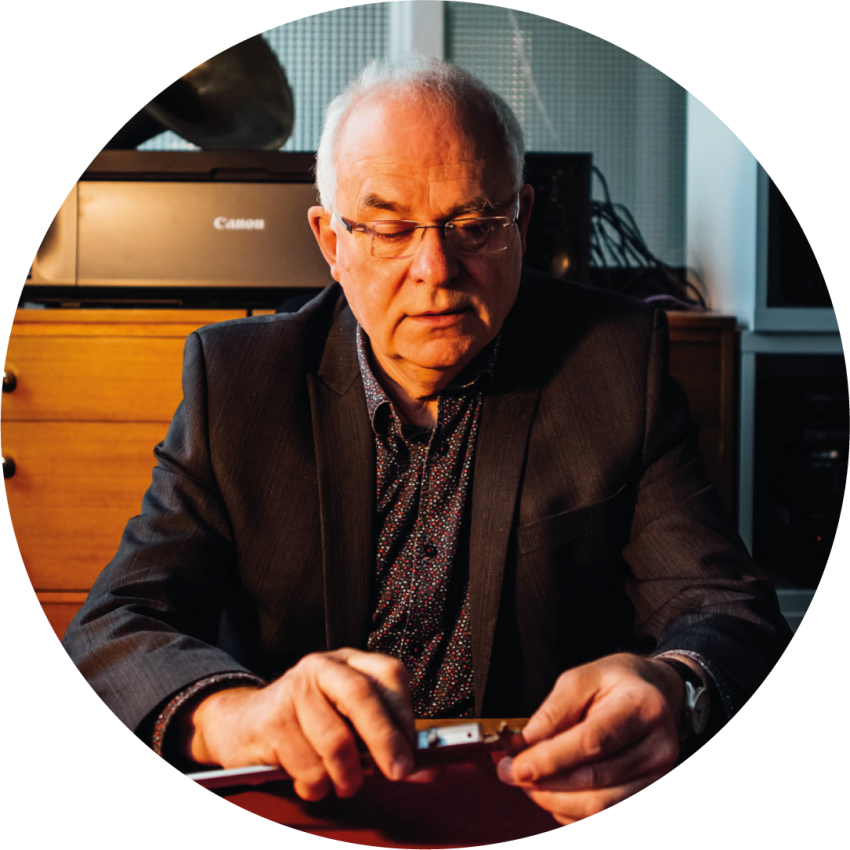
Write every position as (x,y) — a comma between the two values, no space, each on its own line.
(692,582)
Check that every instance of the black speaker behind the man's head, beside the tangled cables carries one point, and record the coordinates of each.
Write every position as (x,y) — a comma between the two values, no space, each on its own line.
(559,231)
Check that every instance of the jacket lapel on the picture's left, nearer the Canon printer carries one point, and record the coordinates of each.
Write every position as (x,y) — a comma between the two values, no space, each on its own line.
(346,470)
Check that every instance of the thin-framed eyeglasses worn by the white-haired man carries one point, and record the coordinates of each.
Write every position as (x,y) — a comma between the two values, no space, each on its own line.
(395,240)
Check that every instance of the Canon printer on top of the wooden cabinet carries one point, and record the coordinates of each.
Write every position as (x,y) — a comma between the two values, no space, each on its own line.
(186,227)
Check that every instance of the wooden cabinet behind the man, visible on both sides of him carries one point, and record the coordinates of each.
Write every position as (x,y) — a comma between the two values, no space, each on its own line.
(95,391)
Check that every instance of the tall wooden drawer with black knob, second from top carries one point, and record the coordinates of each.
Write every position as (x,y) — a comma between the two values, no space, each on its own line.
(74,488)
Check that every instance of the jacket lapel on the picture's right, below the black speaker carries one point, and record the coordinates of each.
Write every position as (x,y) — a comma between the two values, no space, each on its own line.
(506,417)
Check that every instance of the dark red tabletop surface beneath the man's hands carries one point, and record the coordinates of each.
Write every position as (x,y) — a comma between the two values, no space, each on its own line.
(467,807)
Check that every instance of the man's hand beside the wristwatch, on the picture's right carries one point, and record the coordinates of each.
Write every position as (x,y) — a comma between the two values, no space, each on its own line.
(608,730)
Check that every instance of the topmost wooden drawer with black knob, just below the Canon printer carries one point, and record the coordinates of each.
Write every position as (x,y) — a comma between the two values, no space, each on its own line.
(103,379)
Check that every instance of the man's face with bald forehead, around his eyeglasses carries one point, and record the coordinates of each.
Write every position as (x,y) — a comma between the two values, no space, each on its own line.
(433,311)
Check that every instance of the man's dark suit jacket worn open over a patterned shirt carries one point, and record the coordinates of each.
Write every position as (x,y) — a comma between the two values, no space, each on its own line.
(592,527)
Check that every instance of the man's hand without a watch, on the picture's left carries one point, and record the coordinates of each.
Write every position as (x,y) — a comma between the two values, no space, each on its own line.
(305,722)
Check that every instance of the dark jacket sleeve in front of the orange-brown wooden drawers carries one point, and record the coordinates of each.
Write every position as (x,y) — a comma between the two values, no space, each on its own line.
(150,624)
